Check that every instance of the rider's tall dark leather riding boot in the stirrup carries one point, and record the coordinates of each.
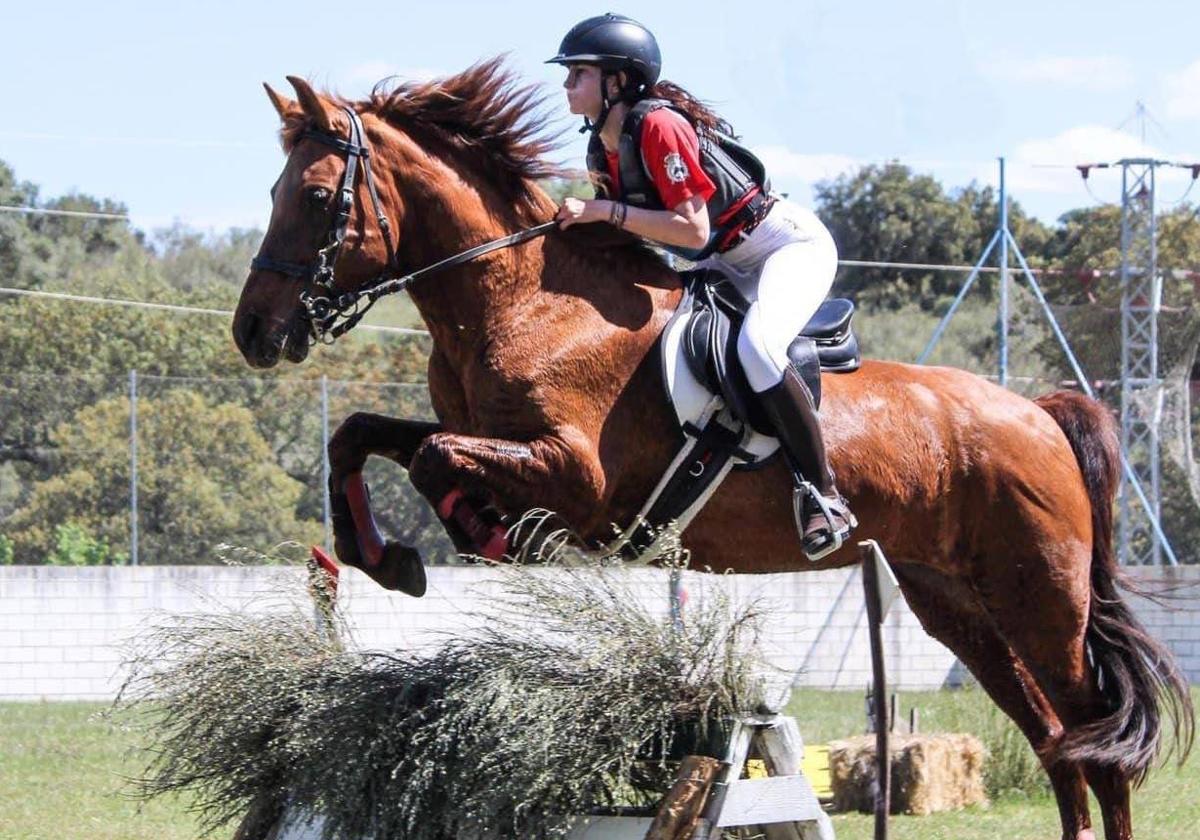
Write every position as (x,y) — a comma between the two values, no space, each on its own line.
(825,517)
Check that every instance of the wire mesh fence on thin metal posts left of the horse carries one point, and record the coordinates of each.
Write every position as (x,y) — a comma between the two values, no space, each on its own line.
(149,470)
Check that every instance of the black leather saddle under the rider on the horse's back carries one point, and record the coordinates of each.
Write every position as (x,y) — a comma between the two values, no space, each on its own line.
(826,344)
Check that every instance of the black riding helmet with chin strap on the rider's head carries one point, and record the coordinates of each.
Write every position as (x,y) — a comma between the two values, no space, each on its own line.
(614,44)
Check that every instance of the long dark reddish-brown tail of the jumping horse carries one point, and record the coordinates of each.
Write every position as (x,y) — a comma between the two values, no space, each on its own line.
(1138,676)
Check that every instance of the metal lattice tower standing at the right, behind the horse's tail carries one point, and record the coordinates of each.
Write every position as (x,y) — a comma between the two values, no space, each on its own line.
(1142,394)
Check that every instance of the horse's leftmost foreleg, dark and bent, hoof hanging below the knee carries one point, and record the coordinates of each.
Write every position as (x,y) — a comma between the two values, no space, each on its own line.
(357,539)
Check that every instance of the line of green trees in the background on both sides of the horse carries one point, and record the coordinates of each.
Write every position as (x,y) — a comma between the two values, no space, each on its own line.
(230,459)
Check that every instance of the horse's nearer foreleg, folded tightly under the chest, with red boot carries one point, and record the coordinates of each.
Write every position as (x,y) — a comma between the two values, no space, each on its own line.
(461,476)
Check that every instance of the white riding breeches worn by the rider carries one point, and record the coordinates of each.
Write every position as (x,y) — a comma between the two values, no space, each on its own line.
(785,269)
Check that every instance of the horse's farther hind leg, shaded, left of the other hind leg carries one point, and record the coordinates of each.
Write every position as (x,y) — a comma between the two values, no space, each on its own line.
(951,614)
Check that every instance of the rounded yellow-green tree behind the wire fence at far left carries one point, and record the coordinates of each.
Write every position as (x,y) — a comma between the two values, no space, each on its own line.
(212,481)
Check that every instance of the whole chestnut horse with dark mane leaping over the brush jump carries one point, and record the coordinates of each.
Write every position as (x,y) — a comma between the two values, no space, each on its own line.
(545,379)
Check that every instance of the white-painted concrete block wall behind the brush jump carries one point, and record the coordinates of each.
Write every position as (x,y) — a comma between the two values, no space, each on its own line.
(63,631)
